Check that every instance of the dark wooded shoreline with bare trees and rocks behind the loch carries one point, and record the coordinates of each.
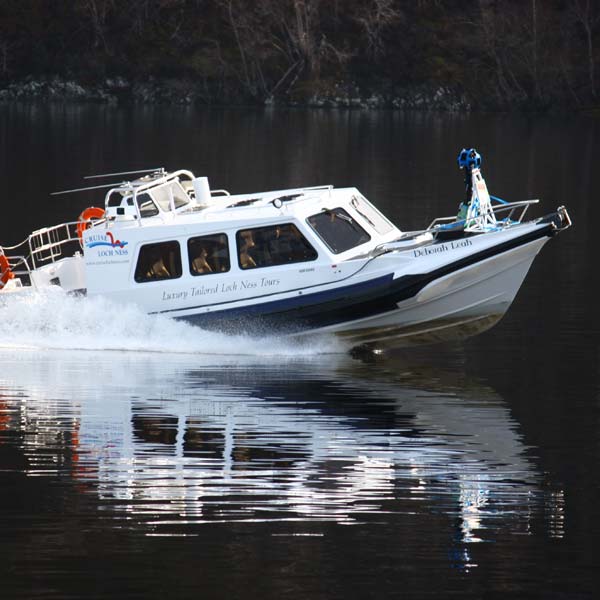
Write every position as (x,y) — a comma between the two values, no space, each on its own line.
(446,55)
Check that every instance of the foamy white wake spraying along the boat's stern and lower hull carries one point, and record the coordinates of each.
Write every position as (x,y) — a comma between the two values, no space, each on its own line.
(54,320)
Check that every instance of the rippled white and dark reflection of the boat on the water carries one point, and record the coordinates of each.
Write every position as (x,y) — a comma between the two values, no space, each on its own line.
(171,445)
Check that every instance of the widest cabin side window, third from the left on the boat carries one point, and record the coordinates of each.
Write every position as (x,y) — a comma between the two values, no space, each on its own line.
(272,246)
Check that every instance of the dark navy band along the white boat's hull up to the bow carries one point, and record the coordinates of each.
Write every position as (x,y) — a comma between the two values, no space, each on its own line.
(348,303)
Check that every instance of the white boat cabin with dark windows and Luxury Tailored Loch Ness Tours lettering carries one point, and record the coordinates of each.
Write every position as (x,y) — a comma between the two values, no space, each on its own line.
(167,238)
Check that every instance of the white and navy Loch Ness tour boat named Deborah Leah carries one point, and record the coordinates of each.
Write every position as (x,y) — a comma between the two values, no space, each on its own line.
(300,261)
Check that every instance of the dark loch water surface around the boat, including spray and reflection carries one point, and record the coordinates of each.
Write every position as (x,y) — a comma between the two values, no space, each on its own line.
(141,458)
